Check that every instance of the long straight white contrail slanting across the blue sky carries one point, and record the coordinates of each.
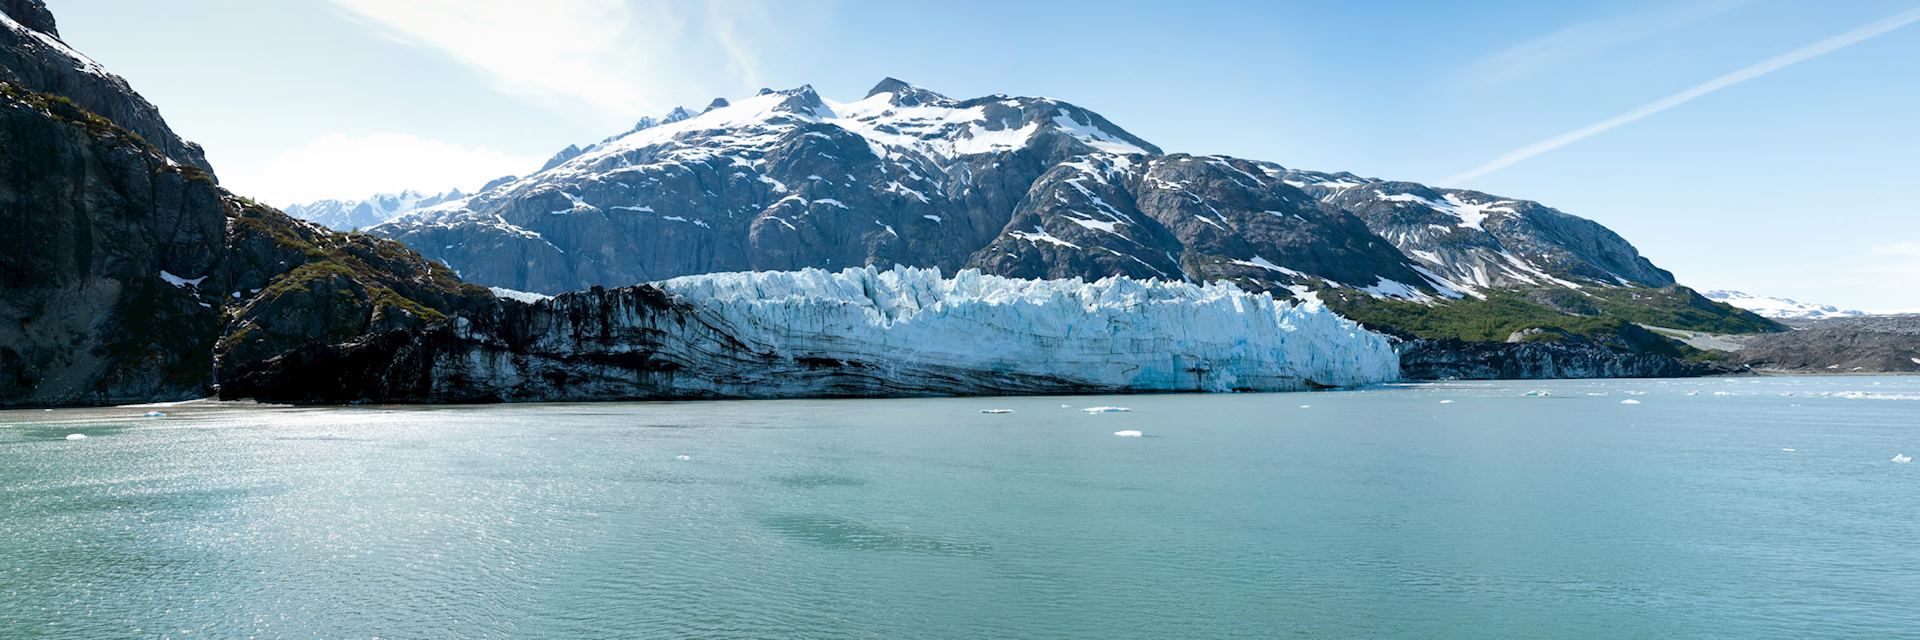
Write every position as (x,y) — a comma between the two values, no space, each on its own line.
(1773,64)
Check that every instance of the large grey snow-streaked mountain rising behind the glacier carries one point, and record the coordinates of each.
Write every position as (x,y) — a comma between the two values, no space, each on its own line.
(1019,187)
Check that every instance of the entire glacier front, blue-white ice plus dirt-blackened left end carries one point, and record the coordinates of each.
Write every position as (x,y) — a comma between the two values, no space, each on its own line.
(901,332)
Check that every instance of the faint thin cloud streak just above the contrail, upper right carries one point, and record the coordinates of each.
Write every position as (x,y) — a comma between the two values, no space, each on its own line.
(1589,39)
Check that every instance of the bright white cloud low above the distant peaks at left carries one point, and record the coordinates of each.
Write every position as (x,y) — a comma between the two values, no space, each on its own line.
(341,166)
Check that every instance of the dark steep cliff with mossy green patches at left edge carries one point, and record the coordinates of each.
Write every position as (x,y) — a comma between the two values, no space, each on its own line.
(143,276)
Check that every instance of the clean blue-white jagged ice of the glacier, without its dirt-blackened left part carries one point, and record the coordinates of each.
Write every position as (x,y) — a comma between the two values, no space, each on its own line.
(1113,333)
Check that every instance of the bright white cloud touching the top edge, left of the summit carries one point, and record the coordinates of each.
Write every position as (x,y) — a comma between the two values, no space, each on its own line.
(592,59)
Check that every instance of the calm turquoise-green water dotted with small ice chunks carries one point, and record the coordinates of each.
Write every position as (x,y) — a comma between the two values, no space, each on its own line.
(1370,514)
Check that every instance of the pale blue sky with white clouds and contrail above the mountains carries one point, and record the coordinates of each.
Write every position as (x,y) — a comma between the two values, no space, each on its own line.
(1760,145)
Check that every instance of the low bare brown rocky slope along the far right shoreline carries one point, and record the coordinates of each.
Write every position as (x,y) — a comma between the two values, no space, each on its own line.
(1840,345)
